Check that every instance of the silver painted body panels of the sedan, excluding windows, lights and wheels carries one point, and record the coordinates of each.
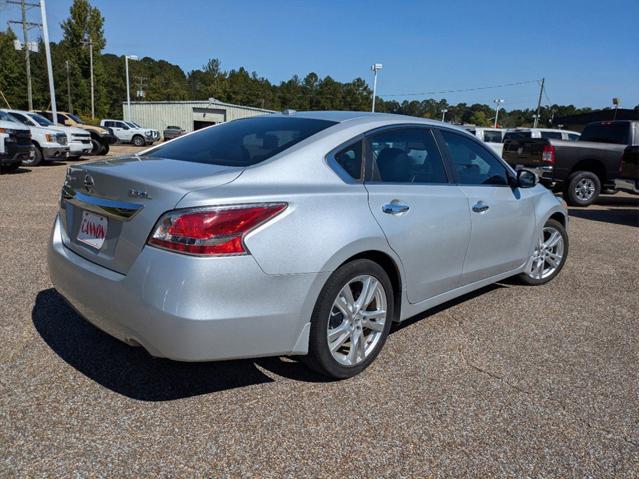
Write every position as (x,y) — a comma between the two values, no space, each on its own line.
(192,308)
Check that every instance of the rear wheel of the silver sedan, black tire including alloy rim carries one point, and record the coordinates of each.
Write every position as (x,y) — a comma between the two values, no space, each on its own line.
(328,317)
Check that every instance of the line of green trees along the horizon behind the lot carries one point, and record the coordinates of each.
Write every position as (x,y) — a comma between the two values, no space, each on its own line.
(161,80)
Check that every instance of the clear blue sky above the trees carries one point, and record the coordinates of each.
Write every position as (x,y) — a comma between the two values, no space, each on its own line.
(586,50)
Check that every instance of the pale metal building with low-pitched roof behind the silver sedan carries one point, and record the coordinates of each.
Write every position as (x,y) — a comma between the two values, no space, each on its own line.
(189,115)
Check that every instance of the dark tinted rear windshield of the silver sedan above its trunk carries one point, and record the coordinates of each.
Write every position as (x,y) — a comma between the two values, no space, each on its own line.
(243,142)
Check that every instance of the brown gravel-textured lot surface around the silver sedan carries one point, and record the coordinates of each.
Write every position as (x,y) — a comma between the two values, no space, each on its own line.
(509,381)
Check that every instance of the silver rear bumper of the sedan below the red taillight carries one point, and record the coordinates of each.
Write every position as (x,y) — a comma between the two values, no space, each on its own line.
(188,308)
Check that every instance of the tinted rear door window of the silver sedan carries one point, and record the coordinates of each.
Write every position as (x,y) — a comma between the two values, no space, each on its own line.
(406,155)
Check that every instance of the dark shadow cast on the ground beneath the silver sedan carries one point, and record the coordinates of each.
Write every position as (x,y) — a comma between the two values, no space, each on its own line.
(132,372)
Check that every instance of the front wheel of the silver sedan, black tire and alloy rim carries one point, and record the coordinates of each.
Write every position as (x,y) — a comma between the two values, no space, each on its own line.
(560,249)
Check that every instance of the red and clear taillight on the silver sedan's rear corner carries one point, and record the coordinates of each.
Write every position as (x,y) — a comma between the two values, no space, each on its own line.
(211,231)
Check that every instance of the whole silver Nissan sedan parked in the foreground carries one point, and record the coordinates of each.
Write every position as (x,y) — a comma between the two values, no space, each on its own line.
(296,234)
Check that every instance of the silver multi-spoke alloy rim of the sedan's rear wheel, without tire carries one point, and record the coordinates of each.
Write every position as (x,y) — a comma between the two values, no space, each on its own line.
(356,321)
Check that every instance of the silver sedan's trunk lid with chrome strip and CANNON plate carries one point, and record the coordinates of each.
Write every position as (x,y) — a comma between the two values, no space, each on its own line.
(121,200)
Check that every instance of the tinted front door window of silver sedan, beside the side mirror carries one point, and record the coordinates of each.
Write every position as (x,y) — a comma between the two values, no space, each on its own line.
(474,164)
